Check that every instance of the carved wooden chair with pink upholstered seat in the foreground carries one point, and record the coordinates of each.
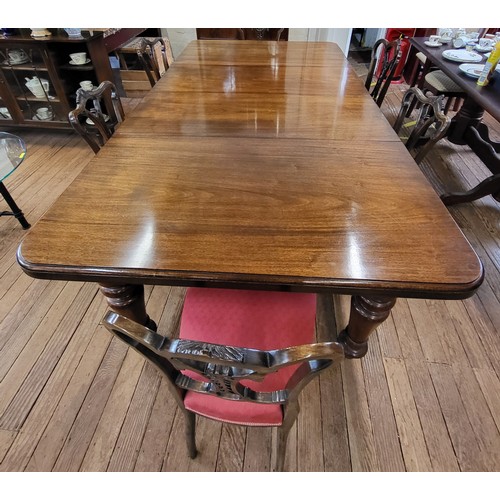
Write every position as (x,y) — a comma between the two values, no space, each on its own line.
(242,357)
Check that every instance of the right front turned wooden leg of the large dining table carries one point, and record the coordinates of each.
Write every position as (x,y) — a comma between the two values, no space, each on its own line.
(366,314)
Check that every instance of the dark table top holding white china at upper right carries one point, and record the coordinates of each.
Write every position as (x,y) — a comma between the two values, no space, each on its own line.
(487,97)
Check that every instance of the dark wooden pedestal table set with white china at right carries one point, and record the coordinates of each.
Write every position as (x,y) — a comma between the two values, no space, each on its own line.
(466,126)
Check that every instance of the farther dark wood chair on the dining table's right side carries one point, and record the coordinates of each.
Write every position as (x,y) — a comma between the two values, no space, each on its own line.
(384,60)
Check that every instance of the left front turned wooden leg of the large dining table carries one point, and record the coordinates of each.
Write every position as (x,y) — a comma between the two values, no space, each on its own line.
(128,300)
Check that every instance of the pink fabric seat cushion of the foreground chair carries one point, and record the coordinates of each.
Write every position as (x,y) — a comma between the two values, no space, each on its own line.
(252,319)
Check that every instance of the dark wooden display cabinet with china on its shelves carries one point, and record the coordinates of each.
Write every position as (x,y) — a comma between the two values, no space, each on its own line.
(49,59)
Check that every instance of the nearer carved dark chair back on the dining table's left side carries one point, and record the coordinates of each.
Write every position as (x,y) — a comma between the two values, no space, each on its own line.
(97,114)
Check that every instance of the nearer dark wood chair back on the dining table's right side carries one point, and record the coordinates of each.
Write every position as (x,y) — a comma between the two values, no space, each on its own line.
(431,125)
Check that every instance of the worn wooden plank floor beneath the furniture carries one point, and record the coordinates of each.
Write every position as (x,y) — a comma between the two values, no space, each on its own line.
(72,398)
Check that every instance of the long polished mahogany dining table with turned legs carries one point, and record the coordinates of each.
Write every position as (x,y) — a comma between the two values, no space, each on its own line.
(258,165)
